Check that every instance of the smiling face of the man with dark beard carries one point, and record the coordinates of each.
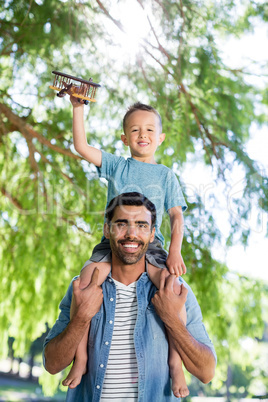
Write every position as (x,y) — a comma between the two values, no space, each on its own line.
(130,233)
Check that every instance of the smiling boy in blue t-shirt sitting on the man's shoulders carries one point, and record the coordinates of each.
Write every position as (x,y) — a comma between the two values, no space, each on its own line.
(143,134)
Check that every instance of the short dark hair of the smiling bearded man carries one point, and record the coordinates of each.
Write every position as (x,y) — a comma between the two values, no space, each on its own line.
(133,198)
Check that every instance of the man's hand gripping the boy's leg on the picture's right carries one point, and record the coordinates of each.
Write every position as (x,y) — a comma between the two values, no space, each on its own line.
(167,303)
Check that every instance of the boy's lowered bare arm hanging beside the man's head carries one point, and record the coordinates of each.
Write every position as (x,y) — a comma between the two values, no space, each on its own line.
(175,261)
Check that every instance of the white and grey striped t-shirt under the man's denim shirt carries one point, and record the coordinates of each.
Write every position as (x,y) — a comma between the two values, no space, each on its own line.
(121,376)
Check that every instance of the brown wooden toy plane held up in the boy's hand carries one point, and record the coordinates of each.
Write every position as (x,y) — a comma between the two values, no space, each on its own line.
(84,90)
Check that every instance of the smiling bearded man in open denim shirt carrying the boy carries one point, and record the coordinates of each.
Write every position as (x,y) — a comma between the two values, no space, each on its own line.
(127,316)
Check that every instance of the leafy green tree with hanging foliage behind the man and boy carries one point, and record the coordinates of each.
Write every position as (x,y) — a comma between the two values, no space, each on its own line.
(52,203)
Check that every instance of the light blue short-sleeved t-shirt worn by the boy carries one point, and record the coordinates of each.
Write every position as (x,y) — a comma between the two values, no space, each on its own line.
(157,182)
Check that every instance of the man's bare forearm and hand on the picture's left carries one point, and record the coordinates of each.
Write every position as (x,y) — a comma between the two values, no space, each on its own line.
(60,351)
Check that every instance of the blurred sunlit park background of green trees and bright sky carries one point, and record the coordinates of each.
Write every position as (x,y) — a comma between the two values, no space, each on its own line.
(203,66)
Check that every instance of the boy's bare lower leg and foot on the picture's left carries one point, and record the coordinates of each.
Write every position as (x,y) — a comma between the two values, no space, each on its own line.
(79,366)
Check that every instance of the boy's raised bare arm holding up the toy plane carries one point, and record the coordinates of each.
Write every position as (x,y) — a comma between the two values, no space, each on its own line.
(91,154)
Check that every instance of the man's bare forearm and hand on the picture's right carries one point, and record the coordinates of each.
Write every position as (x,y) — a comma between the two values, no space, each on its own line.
(197,357)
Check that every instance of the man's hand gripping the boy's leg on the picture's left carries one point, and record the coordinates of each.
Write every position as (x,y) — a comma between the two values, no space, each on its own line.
(88,300)
